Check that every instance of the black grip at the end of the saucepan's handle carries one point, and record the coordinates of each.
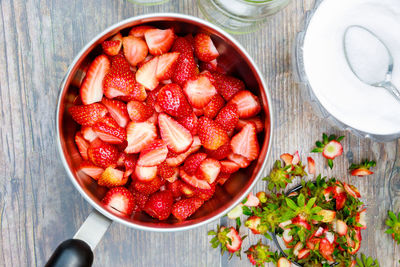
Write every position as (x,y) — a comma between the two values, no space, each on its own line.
(71,253)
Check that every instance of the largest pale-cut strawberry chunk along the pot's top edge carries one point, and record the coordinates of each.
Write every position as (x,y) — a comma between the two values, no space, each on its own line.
(159,41)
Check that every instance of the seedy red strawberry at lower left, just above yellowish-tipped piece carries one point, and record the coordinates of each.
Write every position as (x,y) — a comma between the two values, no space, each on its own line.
(102,154)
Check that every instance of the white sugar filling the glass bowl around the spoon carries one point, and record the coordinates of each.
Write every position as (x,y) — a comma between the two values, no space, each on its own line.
(363,107)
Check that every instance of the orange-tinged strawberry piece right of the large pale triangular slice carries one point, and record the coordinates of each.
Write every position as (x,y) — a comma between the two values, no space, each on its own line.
(211,134)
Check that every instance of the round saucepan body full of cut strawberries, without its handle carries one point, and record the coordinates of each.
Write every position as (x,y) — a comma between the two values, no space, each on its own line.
(164,122)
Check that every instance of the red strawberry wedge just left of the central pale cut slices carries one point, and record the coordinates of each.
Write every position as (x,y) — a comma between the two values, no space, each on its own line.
(113,134)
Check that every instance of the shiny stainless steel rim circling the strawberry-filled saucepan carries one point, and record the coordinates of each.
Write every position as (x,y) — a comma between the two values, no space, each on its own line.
(59,146)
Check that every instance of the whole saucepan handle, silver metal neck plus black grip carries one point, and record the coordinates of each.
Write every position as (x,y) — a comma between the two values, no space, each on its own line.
(78,252)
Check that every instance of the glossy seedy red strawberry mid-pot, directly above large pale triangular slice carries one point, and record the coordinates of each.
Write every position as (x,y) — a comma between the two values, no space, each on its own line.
(172,100)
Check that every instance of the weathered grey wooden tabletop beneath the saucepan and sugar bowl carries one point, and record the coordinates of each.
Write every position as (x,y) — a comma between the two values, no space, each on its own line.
(39,206)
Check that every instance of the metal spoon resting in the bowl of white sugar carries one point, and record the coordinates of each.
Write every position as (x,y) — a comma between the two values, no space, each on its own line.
(369,58)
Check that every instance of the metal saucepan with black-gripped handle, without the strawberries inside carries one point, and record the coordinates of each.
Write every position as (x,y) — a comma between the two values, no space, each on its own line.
(78,251)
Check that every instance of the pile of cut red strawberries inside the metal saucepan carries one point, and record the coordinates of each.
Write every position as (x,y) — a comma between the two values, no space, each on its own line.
(159,134)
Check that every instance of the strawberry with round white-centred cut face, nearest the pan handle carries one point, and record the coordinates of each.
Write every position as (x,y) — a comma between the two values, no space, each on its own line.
(120,199)
